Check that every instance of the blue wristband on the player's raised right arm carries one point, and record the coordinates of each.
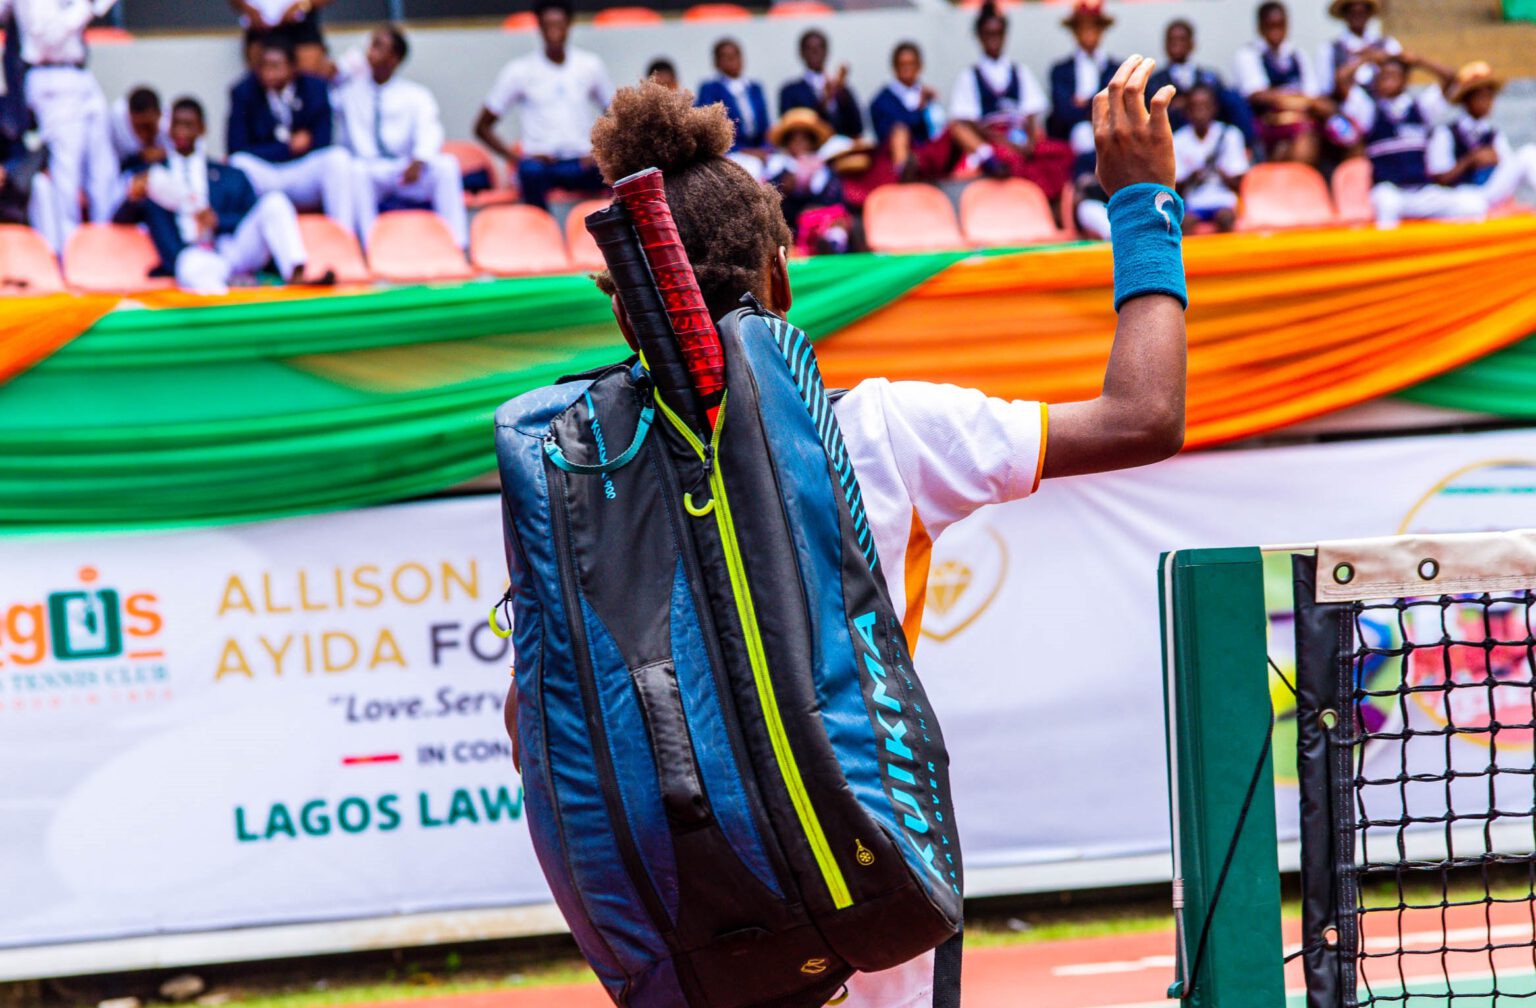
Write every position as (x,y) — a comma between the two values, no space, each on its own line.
(1147,227)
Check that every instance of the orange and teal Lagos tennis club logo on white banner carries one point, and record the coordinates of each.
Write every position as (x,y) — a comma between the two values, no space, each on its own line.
(90,643)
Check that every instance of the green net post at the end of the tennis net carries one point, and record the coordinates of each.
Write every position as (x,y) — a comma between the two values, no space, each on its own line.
(1219,717)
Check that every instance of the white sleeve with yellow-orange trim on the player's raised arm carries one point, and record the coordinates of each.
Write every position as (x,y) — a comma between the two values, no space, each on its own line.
(958,449)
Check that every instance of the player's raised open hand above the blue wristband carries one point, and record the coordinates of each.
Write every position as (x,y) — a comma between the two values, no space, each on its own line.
(1136,145)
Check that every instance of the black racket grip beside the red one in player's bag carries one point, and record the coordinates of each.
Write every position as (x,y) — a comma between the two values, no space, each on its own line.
(632,279)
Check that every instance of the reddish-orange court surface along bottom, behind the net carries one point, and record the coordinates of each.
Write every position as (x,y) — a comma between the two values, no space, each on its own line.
(1134,970)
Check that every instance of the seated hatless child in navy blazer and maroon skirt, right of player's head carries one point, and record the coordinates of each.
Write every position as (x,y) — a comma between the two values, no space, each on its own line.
(910,125)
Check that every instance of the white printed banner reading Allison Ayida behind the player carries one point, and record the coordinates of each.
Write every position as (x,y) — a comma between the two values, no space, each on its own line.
(302,720)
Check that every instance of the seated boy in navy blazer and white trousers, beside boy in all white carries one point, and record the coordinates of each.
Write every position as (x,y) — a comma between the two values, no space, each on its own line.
(280,136)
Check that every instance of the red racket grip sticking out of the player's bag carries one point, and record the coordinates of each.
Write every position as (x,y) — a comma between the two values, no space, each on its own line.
(646,201)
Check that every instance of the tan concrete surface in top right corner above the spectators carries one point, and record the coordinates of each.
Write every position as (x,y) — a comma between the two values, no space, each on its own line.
(1460,31)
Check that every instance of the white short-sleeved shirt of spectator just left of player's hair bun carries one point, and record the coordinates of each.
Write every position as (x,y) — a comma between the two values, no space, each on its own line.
(560,102)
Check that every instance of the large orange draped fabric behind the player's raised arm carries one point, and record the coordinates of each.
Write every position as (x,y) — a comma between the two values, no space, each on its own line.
(1282,328)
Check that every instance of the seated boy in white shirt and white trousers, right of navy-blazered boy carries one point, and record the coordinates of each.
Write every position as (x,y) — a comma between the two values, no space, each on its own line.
(396,134)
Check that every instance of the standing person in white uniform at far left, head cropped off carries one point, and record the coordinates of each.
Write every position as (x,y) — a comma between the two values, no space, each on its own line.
(68,104)
